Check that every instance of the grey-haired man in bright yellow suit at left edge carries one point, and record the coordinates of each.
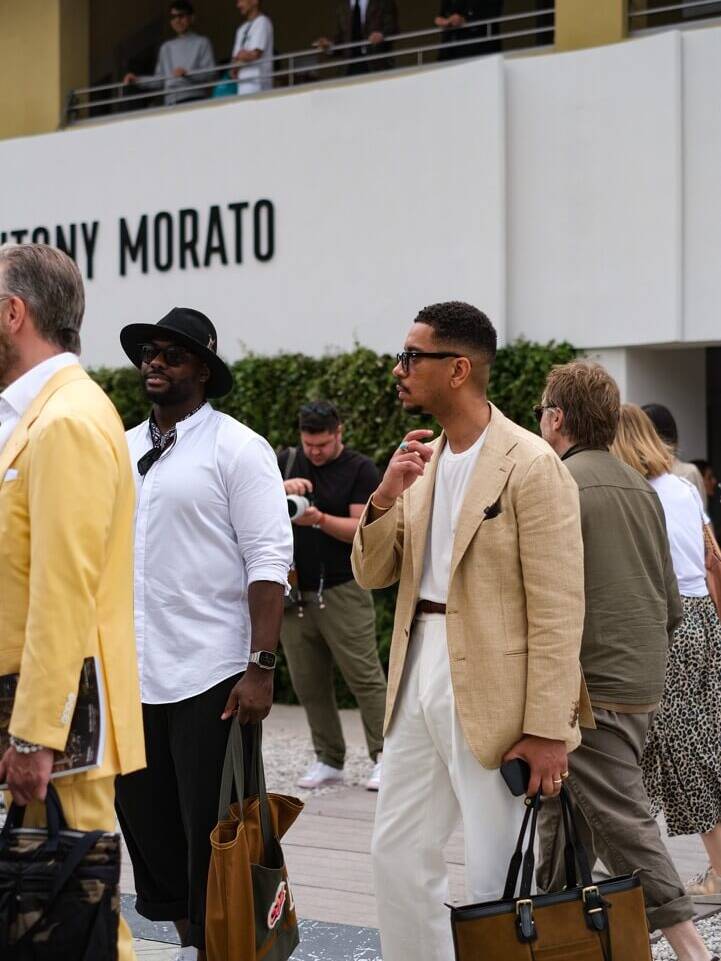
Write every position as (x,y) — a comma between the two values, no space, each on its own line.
(66,528)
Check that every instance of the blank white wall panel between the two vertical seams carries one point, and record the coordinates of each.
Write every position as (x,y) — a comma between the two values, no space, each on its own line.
(594,194)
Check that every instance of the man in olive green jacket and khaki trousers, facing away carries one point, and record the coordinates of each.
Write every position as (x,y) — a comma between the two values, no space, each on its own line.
(632,607)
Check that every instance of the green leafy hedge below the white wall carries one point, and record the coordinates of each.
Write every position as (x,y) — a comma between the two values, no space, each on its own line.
(269,390)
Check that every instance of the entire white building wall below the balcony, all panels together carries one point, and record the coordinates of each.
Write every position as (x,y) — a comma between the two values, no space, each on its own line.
(570,195)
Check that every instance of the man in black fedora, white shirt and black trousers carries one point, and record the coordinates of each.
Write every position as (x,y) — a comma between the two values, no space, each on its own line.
(213,546)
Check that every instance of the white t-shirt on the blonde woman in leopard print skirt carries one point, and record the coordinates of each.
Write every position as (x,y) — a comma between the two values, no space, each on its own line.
(685,518)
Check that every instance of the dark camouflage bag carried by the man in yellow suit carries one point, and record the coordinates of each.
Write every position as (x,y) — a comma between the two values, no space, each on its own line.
(59,890)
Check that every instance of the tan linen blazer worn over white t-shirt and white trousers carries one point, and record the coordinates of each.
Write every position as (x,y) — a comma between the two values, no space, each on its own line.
(514,615)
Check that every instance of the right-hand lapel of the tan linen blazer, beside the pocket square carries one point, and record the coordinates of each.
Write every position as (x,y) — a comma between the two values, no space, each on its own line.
(489,477)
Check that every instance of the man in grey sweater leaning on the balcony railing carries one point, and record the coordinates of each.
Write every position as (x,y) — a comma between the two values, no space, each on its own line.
(179,58)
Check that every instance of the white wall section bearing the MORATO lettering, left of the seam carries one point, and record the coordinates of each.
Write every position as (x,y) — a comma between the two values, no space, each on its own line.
(388,196)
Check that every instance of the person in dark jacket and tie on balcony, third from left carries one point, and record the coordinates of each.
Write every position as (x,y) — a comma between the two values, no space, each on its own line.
(372,21)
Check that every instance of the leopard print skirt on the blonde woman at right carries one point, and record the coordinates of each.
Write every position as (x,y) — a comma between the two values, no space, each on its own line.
(682,756)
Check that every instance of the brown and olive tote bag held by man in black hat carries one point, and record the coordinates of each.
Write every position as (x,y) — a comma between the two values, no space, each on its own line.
(250,914)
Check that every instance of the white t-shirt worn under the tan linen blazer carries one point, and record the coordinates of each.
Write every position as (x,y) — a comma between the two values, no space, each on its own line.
(452,476)
